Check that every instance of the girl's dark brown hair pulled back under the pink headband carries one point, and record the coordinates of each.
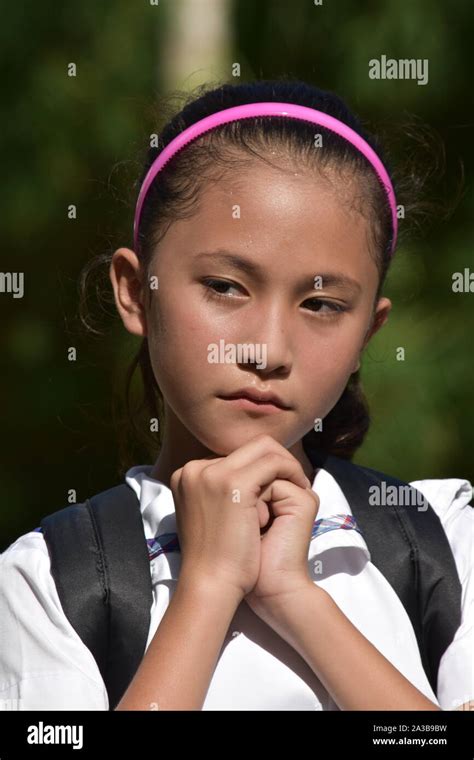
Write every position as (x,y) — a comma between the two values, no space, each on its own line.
(175,193)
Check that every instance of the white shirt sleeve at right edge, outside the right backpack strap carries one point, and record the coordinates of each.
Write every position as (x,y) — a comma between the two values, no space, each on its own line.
(450,498)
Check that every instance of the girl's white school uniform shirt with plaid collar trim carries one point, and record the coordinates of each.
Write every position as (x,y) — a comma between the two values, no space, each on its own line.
(45,665)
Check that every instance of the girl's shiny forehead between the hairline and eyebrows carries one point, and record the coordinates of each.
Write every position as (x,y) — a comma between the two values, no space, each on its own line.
(275,219)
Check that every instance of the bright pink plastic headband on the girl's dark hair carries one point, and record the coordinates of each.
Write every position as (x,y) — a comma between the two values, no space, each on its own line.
(267,109)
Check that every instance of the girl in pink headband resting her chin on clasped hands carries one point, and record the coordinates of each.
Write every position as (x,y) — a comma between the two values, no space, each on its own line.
(263,237)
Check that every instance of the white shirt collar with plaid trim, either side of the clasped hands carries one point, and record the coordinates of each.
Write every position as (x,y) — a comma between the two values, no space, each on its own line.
(335,526)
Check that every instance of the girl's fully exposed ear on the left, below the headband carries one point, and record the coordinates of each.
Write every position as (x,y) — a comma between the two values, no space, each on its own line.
(126,276)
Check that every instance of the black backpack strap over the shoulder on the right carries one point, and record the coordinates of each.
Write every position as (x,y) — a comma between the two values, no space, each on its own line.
(410,548)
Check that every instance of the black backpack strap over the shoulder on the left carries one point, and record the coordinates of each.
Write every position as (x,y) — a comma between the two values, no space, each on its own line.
(100,564)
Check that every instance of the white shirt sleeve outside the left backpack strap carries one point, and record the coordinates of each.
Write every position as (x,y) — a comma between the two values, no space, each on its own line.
(44,664)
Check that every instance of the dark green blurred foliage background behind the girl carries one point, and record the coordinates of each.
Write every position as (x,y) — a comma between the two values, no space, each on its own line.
(75,140)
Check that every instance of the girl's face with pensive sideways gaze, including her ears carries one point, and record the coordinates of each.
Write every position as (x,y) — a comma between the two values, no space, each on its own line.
(242,271)
